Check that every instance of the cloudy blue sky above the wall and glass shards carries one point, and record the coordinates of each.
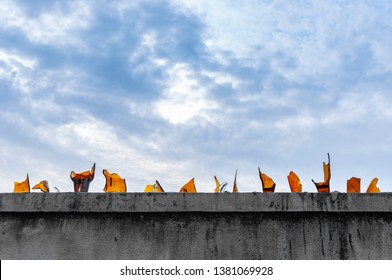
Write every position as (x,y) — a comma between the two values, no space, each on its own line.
(171,90)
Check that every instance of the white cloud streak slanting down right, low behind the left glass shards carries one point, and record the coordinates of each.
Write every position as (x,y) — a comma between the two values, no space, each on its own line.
(131,156)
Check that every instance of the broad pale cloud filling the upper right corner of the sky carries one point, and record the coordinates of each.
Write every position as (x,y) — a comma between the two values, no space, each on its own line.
(298,40)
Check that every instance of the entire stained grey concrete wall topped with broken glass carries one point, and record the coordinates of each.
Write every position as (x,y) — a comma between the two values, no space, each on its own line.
(195,226)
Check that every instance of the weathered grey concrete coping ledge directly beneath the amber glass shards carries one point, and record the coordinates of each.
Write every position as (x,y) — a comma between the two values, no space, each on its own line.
(196,202)
